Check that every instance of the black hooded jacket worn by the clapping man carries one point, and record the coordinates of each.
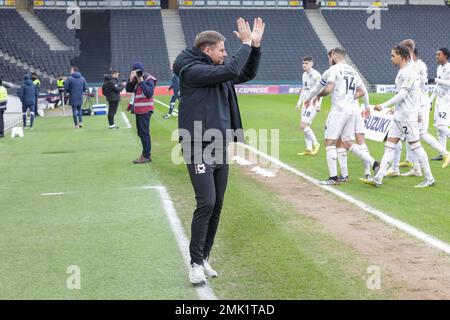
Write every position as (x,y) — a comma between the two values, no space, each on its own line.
(207,91)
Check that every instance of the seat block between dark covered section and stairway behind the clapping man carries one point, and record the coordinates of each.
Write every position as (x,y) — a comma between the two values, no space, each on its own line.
(132,42)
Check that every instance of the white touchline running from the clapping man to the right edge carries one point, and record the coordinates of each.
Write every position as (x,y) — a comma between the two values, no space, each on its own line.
(412,231)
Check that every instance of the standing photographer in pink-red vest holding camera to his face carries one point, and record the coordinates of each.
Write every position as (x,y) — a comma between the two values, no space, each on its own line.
(142,86)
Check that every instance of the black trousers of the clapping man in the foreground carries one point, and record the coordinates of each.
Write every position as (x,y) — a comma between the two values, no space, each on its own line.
(210,183)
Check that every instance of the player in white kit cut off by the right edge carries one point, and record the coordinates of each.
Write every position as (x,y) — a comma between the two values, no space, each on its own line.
(442,95)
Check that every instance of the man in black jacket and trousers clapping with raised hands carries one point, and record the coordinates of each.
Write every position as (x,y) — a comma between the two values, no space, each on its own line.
(208,101)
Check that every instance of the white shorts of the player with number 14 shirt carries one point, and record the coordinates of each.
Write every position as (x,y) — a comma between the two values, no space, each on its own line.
(340,125)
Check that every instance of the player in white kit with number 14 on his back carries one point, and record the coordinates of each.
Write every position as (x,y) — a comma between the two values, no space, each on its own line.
(342,82)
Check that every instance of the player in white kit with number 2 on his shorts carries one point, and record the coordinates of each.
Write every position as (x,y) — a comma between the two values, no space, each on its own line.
(406,118)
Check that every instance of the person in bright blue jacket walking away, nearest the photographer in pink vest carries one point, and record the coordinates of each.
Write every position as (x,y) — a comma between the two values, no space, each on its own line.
(75,86)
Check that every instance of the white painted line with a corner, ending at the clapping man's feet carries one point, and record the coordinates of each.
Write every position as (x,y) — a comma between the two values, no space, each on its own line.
(204,292)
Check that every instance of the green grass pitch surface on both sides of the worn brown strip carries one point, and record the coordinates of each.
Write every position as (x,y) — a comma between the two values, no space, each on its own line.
(120,237)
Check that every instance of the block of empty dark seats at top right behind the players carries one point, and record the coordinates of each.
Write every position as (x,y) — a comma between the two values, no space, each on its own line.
(370,49)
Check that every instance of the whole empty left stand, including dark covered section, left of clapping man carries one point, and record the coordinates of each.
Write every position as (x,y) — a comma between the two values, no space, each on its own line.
(107,39)
